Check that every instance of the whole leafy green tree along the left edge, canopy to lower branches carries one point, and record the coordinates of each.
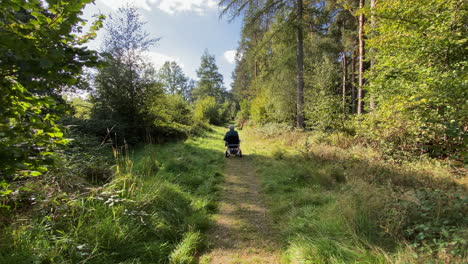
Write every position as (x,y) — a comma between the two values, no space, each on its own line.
(41,57)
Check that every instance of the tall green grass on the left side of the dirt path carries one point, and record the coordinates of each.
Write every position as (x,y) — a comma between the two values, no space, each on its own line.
(154,209)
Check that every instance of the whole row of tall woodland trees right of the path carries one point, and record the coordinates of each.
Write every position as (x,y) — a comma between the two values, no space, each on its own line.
(357,60)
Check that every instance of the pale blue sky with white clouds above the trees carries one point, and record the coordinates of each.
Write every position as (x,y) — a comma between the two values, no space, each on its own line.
(186,29)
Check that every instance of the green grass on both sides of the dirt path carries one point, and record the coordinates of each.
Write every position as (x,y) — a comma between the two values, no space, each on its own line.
(333,202)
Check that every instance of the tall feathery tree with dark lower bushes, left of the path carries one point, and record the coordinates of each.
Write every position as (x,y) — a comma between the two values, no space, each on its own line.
(138,102)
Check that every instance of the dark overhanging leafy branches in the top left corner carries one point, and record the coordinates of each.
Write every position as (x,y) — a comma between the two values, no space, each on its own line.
(39,46)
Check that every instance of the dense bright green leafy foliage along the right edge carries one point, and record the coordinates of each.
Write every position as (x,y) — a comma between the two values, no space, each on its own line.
(419,74)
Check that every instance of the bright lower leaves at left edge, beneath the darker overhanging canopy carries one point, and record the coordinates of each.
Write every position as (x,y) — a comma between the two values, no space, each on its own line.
(28,132)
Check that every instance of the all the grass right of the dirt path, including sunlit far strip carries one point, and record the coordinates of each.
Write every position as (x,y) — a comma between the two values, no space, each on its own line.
(349,205)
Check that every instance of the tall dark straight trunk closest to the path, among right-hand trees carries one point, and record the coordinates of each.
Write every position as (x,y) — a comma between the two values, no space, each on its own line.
(300,67)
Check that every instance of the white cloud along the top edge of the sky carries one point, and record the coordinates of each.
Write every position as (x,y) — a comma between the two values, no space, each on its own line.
(168,6)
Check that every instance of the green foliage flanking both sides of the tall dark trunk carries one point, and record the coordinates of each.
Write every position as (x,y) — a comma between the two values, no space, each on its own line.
(266,73)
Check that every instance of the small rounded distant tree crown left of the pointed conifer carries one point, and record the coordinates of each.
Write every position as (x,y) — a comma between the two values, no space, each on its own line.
(173,78)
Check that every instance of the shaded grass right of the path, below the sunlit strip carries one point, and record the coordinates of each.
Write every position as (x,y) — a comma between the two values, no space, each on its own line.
(347,209)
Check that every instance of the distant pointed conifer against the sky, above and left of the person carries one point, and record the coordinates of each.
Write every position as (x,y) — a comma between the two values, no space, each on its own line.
(210,81)
